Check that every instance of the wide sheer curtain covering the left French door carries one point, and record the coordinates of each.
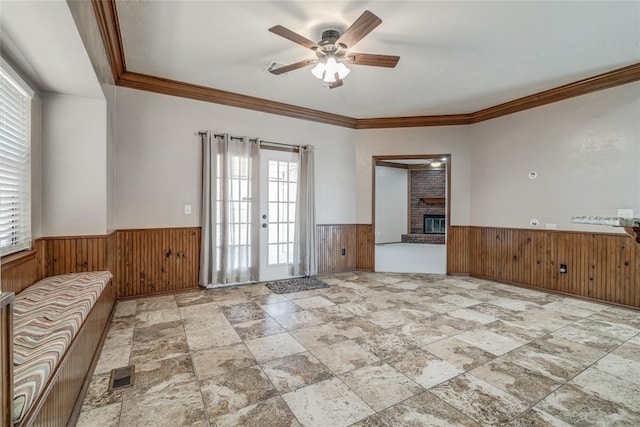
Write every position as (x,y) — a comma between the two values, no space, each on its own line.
(229,250)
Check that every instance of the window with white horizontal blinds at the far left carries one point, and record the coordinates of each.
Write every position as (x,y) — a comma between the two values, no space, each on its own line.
(15,162)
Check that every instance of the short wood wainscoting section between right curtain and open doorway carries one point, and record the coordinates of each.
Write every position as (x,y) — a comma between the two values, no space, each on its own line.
(331,240)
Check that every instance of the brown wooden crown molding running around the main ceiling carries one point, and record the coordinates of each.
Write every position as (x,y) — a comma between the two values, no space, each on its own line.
(107,17)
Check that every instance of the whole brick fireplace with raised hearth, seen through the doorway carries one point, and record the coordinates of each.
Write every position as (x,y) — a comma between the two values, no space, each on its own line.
(427,192)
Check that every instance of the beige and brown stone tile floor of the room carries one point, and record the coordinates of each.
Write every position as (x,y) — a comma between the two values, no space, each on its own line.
(371,350)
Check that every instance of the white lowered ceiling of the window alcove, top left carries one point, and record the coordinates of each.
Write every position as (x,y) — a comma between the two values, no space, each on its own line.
(41,39)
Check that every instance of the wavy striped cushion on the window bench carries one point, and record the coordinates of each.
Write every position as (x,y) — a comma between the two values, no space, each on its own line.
(47,315)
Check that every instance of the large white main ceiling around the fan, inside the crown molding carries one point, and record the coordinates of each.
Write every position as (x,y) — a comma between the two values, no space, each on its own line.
(456,57)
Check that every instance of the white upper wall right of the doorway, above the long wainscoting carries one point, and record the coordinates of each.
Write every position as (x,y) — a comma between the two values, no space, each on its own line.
(586,151)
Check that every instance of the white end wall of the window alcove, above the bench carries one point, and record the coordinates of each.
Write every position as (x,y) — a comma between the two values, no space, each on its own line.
(74,159)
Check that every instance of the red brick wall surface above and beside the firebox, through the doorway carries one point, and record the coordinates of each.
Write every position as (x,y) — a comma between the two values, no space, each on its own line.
(426,183)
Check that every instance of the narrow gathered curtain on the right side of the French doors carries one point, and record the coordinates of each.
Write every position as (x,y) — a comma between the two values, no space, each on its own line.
(304,245)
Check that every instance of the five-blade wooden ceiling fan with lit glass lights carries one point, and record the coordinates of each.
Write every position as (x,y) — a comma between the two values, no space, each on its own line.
(333,51)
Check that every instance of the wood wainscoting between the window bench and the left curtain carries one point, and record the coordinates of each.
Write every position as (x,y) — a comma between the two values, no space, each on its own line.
(153,261)
